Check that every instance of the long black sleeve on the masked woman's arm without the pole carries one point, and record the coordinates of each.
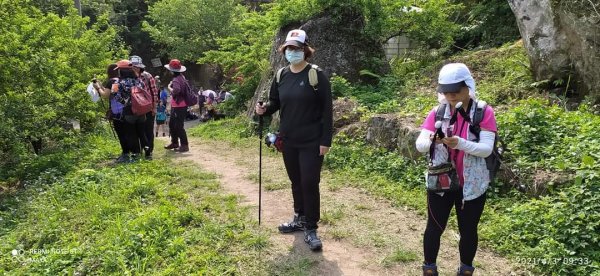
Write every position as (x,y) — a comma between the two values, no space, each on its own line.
(324,91)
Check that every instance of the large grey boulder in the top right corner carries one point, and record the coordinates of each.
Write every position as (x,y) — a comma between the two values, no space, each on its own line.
(562,38)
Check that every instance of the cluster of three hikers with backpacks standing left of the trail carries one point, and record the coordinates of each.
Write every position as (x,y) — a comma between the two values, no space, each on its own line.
(136,104)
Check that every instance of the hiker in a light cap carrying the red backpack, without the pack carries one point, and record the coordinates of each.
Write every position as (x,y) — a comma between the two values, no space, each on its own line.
(150,84)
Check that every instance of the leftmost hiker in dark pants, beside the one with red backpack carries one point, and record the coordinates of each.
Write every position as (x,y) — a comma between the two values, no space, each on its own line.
(135,124)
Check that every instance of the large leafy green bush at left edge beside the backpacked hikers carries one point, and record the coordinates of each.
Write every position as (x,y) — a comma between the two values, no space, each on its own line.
(47,62)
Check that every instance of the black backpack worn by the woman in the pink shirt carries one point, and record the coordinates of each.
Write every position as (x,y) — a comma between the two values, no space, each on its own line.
(493,161)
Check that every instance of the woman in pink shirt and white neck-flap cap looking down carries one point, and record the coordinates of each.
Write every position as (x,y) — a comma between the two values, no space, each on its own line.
(462,148)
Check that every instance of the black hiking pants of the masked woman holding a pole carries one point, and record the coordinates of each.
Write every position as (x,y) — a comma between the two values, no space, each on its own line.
(303,166)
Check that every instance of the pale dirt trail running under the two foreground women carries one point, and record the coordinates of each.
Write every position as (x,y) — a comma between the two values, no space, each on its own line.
(362,235)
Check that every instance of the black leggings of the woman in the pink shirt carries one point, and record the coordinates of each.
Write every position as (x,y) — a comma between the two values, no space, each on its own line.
(468,219)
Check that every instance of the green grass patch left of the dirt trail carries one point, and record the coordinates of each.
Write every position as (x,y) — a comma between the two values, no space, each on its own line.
(156,217)
